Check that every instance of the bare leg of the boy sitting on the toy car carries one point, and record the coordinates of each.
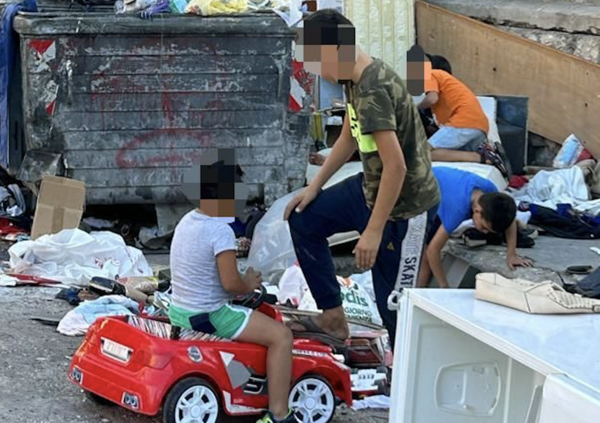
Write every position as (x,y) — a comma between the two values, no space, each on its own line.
(278,339)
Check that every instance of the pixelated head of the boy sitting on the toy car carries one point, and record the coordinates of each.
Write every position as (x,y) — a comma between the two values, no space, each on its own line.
(215,184)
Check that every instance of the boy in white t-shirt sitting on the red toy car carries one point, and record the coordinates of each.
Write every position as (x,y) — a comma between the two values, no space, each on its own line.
(205,277)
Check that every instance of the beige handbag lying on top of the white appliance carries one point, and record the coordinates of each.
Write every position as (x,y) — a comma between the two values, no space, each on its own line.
(530,297)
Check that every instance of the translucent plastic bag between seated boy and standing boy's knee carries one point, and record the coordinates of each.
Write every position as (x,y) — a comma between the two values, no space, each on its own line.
(272,250)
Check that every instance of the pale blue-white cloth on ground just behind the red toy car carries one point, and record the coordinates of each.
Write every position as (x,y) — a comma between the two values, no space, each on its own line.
(77,321)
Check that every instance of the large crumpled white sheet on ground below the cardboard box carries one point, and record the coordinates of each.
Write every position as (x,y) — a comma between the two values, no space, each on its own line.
(73,256)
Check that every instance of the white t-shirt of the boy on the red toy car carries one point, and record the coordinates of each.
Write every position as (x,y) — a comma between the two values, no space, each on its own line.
(195,278)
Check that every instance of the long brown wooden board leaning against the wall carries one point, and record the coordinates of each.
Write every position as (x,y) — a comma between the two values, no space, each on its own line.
(564,90)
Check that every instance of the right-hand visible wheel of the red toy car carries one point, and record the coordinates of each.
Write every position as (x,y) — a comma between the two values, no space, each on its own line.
(312,400)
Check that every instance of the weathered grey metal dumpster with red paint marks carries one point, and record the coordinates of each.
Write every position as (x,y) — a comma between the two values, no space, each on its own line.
(128,104)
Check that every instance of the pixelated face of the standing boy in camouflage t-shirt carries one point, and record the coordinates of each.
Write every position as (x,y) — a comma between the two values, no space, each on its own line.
(329,52)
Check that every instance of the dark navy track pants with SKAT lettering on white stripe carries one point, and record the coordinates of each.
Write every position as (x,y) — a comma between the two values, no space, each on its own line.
(343,208)
